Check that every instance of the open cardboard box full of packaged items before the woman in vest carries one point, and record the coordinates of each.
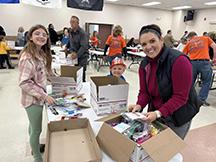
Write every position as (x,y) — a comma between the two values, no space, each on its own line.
(160,148)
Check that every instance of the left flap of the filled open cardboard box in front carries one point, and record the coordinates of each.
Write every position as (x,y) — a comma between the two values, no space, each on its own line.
(119,148)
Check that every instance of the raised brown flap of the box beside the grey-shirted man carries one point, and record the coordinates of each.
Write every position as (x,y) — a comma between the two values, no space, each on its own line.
(69,71)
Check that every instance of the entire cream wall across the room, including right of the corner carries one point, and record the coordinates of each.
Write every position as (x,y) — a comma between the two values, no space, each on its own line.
(131,18)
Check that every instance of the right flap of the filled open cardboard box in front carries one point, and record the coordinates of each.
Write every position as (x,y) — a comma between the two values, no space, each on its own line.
(164,146)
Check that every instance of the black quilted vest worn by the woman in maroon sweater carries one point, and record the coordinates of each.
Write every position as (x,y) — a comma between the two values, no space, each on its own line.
(164,69)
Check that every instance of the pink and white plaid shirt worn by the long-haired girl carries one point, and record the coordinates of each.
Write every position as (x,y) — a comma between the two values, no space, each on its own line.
(32,80)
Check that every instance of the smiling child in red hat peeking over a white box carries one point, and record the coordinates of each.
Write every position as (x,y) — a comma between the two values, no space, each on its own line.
(117,68)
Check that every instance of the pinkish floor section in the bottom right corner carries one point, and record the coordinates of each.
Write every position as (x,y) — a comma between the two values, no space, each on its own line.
(201,145)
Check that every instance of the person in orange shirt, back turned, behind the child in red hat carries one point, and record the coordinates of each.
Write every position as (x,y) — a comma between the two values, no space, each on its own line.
(116,44)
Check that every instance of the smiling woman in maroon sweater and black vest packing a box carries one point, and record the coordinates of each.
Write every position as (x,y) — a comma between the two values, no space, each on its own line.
(162,77)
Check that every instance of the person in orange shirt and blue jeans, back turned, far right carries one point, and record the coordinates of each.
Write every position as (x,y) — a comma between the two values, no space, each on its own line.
(198,50)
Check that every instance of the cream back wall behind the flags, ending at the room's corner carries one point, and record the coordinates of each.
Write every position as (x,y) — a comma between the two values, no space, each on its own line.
(131,18)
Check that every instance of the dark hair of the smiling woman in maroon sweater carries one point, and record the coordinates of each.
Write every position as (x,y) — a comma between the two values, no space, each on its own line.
(151,28)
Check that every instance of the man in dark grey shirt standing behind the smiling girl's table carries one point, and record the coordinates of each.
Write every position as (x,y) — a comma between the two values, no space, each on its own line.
(78,44)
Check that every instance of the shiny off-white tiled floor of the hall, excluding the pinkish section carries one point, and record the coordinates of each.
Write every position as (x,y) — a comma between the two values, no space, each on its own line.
(14,123)
